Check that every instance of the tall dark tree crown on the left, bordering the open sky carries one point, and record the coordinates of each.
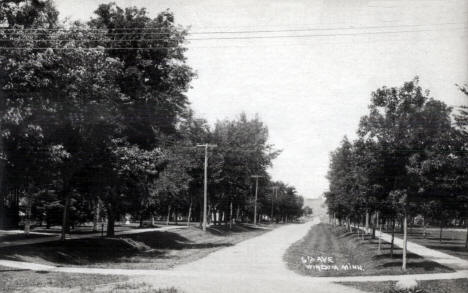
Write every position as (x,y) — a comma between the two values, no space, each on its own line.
(155,75)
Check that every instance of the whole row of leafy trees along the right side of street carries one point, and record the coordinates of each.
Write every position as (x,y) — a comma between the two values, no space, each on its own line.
(410,159)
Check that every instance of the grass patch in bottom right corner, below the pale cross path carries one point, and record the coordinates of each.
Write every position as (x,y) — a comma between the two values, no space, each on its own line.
(434,286)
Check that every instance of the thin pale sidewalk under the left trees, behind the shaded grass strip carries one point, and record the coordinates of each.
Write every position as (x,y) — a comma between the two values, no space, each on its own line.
(83,236)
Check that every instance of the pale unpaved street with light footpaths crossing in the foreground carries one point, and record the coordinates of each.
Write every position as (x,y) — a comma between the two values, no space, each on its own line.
(242,268)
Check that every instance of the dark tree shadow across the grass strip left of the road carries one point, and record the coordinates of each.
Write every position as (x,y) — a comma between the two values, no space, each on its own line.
(105,250)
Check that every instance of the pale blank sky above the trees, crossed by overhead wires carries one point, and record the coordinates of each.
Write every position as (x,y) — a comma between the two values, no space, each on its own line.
(311,89)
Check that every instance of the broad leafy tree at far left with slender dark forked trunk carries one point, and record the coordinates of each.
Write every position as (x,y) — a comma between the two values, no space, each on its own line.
(69,96)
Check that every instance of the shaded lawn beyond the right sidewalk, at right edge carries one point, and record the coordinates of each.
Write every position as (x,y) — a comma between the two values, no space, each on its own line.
(453,241)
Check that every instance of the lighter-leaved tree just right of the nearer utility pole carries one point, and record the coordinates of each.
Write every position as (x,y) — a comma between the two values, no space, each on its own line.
(243,150)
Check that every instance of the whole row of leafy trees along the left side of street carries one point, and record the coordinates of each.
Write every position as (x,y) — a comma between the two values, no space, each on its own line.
(95,120)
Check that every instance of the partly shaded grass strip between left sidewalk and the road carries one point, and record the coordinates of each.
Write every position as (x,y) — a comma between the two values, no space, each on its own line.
(148,250)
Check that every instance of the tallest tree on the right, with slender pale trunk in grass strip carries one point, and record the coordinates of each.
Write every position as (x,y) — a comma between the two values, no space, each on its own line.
(408,124)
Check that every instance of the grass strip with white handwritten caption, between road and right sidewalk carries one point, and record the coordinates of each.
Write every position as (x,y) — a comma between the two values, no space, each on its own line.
(346,248)
